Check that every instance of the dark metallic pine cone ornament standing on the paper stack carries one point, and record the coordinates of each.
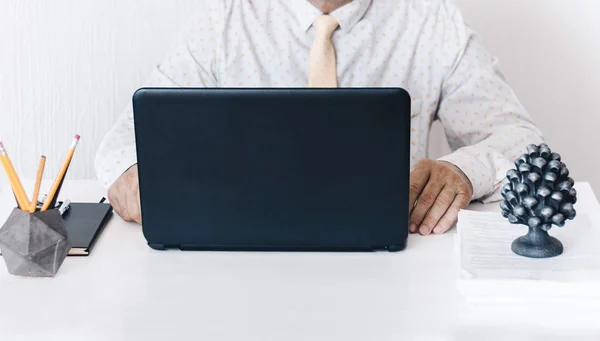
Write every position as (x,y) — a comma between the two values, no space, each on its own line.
(539,194)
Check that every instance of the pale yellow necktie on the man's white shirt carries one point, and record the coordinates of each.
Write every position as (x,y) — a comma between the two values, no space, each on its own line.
(322,71)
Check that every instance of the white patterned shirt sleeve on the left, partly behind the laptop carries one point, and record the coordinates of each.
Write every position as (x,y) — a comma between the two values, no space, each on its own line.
(190,63)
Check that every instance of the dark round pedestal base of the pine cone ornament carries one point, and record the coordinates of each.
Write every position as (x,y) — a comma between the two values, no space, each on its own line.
(537,243)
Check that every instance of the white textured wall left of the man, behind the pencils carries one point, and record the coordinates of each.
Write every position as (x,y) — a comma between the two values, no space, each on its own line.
(70,66)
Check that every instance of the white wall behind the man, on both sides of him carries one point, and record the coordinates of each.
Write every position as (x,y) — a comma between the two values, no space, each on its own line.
(70,66)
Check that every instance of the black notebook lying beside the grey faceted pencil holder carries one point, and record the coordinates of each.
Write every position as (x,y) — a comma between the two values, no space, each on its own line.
(85,222)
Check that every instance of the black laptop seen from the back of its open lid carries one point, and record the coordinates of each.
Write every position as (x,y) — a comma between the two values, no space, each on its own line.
(274,169)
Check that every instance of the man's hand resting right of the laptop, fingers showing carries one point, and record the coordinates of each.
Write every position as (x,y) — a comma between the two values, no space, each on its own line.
(438,190)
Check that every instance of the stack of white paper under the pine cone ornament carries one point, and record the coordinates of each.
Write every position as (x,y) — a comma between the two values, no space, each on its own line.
(501,286)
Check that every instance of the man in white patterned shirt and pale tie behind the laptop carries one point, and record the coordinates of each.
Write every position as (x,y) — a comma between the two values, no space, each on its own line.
(423,46)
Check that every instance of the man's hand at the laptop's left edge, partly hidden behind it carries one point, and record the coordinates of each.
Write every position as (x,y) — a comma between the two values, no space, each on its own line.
(124,196)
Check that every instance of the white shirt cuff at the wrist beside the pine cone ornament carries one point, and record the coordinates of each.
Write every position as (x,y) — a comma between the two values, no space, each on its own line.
(485,171)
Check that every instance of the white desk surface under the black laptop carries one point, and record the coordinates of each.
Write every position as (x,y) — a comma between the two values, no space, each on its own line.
(127,291)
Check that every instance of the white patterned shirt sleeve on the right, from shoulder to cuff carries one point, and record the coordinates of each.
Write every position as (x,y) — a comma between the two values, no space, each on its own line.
(486,125)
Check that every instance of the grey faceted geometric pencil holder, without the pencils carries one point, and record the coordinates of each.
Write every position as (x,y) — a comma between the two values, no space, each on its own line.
(34,244)
